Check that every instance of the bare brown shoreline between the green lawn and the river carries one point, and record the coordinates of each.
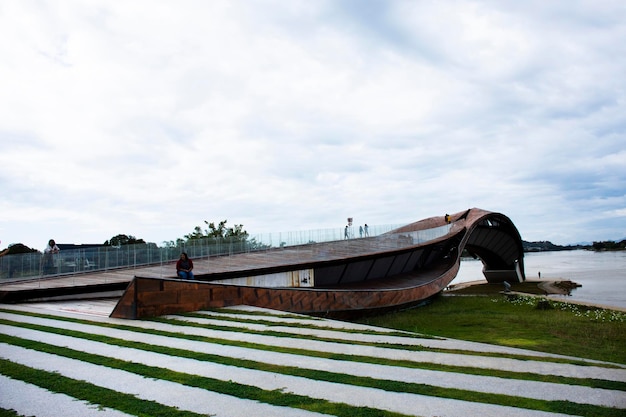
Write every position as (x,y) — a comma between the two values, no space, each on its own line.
(550,289)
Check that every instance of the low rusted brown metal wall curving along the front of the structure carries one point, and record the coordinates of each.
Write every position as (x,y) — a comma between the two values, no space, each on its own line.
(149,297)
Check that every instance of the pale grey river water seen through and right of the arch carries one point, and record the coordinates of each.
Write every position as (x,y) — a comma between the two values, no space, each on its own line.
(601,274)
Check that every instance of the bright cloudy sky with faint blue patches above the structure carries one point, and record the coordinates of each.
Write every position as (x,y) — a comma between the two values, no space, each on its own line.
(147,118)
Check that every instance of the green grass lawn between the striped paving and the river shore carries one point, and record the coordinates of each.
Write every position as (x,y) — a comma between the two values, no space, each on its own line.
(489,317)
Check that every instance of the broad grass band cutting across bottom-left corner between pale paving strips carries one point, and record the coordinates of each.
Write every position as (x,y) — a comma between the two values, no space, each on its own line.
(94,394)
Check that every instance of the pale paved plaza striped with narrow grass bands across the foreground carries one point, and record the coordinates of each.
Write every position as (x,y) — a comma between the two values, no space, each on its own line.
(273,338)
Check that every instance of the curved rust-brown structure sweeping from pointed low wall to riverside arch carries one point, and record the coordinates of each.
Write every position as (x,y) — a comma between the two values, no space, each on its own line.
(385,272)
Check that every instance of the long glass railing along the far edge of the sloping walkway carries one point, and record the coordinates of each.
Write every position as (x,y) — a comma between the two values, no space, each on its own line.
(73,261)
